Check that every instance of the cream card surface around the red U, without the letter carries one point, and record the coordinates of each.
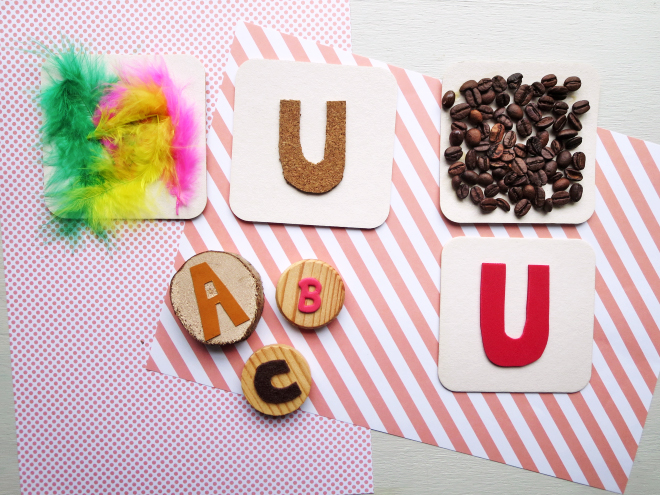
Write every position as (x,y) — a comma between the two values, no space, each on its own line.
(565,365)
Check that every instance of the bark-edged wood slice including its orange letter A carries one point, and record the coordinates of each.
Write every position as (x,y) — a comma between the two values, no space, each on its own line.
(218,297)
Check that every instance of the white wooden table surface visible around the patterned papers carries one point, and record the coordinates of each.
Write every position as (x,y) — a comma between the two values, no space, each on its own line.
(622,40)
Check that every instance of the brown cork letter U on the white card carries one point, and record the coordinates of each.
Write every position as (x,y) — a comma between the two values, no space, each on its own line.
(302,174)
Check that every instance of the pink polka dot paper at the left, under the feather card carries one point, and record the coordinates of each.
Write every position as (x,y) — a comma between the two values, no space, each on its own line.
(90,418)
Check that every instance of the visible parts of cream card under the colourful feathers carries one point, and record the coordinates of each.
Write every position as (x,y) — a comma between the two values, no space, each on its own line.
(188,73)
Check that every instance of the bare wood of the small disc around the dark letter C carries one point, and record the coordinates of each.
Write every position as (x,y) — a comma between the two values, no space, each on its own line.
(299,373)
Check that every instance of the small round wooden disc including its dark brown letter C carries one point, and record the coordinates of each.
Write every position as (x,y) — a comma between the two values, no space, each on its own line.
(276,380)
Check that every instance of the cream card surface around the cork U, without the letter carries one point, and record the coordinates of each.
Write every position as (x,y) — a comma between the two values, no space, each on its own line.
(258,190)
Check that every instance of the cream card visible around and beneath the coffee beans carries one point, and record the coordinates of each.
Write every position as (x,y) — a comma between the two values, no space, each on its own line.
(464,211)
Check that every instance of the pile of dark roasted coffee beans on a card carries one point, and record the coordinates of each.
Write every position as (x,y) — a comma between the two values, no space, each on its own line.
(497,161)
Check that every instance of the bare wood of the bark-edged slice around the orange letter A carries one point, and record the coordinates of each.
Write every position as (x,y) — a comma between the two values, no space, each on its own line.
(243,284)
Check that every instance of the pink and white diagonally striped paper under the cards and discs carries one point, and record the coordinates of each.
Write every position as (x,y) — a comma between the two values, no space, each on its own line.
(376,365)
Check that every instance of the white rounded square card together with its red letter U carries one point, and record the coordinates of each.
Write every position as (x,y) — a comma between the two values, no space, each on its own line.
(516,315)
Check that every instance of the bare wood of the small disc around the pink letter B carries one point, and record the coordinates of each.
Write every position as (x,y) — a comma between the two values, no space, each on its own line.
(332,294)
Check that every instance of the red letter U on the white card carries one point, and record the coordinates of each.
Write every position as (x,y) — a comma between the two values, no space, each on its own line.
(501,349)
